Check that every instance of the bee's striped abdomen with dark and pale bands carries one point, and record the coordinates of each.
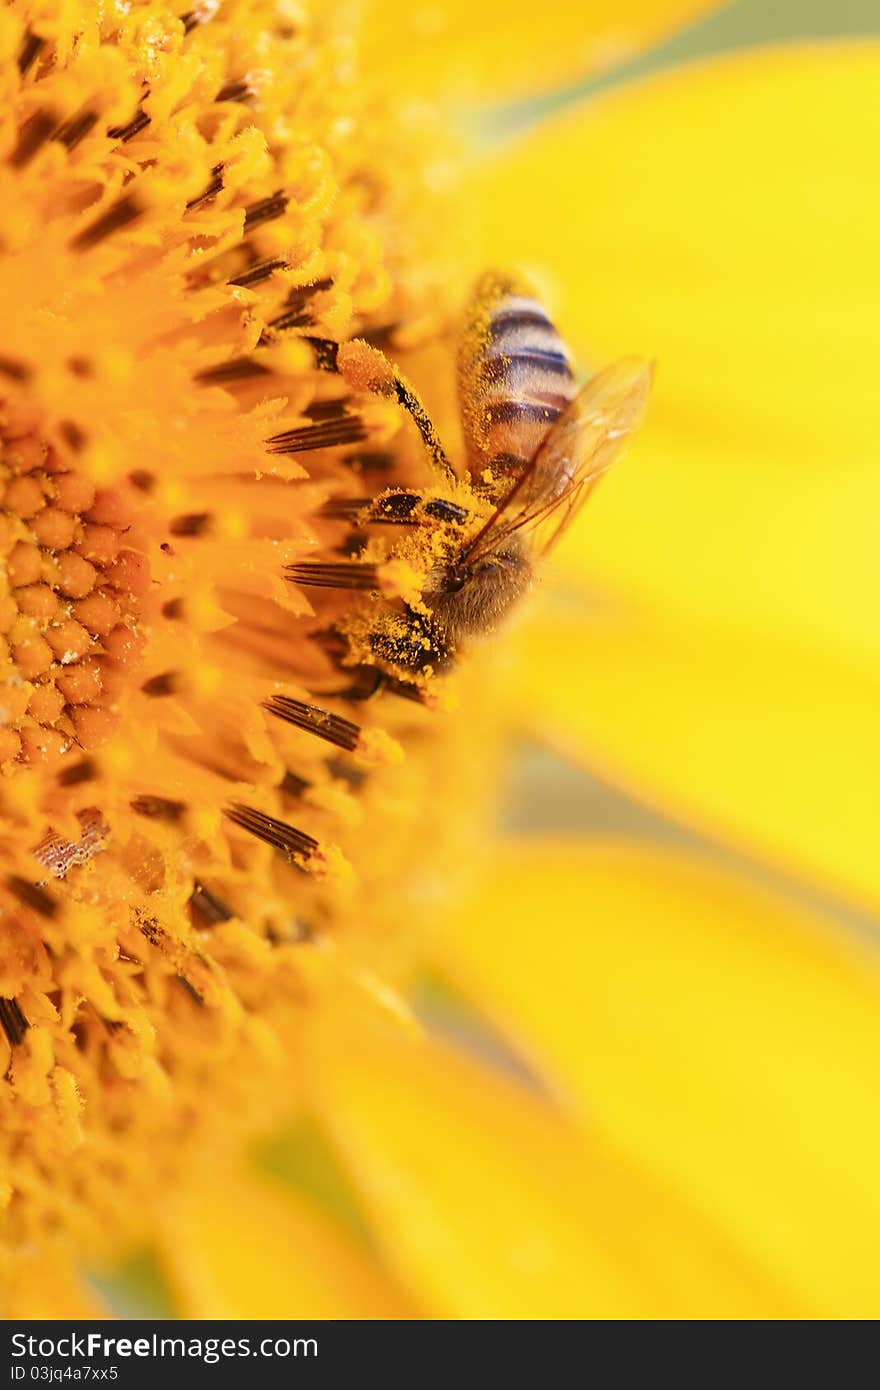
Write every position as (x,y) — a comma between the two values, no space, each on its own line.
(515,377)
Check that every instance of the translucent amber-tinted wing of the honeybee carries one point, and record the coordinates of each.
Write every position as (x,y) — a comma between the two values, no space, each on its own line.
(583,445)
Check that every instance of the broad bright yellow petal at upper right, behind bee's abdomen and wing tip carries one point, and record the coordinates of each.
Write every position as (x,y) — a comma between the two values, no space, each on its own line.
(719,218)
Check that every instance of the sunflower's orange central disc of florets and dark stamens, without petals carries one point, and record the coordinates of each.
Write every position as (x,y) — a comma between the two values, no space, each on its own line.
(198,206)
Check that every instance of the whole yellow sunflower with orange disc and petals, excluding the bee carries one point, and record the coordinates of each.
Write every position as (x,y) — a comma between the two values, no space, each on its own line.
(290,1032)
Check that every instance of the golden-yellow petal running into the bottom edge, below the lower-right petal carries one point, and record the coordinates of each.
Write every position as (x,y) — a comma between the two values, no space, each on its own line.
(493,1206)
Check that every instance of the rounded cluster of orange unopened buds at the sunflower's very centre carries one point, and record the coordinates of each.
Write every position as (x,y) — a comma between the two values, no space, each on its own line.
(70,603)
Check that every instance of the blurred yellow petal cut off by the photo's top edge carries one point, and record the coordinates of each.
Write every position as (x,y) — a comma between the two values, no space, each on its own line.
(503,51)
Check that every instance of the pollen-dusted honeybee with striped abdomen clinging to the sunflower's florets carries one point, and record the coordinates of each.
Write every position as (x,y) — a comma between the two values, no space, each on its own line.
(536,445)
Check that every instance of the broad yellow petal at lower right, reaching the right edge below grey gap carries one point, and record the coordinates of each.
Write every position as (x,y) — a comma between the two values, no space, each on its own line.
(724,1039)
